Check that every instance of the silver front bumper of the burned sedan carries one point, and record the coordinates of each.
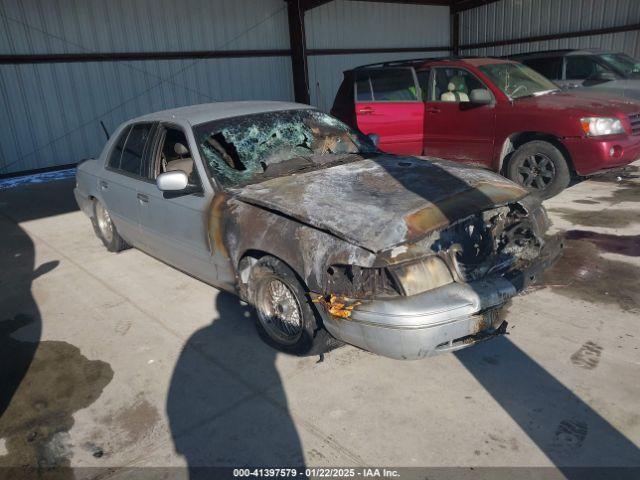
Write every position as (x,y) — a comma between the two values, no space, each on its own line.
(445,319)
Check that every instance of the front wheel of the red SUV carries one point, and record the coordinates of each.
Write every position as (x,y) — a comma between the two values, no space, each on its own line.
(539,167)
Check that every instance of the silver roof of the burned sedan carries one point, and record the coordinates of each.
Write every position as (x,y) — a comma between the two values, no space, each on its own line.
(207,112)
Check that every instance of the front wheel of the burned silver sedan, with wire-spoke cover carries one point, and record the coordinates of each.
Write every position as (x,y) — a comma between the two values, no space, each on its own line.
(285,315)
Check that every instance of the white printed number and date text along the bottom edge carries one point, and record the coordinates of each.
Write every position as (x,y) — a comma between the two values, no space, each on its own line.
(316,472)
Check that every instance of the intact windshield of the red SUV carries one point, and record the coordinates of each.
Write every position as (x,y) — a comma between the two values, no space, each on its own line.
(518,81)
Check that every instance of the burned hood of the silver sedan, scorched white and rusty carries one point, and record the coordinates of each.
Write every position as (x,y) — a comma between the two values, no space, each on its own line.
(382,201)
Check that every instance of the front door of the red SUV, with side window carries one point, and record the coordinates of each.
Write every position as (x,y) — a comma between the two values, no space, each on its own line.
(455,128)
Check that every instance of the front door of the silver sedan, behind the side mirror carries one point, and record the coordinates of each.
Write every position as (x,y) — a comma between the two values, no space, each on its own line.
(175,226)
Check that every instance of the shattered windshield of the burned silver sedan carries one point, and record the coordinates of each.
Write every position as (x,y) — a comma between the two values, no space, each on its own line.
(253,148)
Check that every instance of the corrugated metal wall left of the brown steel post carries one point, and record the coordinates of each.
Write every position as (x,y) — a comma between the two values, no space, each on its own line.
(51,112)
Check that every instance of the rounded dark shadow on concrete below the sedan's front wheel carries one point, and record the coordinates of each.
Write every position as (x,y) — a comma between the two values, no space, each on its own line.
(226,404)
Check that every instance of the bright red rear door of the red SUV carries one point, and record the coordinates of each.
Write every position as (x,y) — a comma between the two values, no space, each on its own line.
(389,104)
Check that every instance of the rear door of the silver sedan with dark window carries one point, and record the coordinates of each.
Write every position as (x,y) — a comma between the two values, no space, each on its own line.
(120,179)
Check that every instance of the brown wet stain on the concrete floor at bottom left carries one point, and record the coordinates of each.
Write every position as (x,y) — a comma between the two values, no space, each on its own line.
(59,382)
